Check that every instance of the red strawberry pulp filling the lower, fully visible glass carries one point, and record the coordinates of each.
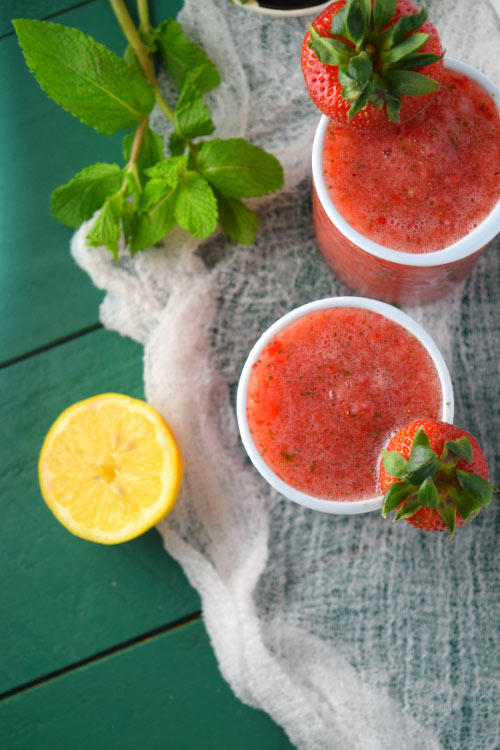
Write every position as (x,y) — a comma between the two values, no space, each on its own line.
(329,390)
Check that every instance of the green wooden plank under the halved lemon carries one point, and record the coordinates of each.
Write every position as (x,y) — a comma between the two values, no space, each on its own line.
(63,599)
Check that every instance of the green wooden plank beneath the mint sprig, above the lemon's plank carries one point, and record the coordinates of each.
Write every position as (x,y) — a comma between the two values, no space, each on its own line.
(44,295)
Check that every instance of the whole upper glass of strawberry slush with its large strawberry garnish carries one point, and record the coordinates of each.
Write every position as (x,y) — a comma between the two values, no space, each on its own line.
(406,169)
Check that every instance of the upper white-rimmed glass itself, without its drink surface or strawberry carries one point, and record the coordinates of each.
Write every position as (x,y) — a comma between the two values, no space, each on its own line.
(392,275)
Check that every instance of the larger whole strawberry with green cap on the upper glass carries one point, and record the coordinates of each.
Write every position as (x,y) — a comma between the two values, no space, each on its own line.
(359,60)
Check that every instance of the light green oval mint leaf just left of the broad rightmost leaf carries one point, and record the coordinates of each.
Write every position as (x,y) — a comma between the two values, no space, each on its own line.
(195,205)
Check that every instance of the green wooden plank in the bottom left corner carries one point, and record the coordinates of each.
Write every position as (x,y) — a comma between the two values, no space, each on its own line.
(165,693)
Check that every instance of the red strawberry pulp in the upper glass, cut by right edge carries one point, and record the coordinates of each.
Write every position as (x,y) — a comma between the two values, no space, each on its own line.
(424,185)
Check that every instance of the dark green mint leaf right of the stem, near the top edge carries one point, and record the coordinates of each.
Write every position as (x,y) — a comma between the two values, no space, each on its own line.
(180,56)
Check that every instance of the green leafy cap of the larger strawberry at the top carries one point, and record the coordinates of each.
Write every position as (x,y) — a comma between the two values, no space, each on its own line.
(376,64)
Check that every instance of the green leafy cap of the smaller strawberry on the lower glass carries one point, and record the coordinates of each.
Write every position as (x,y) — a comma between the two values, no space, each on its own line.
(427,480)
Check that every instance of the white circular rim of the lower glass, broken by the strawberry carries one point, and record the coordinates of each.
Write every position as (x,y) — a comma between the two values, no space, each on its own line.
(392,313)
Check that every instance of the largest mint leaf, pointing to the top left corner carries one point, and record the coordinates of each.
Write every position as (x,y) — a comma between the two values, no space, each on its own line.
(83,76)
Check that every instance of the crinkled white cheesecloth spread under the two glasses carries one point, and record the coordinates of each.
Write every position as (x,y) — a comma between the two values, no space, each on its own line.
(353,634)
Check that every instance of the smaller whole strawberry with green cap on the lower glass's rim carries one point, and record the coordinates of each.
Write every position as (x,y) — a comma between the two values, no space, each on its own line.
(435,475)
